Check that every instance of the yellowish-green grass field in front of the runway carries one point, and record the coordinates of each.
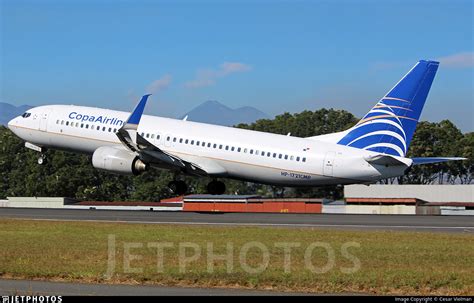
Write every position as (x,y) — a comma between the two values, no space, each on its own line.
(332,261)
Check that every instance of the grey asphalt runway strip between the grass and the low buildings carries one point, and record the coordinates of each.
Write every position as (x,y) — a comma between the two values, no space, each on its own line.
(463,224)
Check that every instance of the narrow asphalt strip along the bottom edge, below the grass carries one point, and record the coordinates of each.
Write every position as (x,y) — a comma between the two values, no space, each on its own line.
(45,288)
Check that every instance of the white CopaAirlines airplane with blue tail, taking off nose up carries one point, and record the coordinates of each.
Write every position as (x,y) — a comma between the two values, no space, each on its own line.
(123,143)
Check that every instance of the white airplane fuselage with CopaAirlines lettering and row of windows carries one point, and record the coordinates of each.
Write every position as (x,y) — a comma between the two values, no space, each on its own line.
(239,153)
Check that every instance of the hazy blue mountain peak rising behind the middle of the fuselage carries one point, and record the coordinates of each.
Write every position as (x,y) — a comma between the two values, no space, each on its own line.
(214,112)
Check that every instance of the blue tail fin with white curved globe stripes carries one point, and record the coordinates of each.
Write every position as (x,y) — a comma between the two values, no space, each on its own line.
(389,126)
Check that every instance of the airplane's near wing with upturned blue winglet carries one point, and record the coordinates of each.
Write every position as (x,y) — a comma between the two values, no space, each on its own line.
(150,153)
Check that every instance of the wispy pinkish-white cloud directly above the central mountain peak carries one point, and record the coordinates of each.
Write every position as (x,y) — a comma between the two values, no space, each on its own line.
(208,77)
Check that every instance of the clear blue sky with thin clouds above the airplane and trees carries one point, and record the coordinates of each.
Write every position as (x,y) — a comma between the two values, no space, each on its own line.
(274,55)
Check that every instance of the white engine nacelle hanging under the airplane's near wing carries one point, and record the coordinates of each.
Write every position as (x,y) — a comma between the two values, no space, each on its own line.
(117,161)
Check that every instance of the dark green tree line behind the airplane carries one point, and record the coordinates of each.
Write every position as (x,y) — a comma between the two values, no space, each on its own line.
(72,175)
